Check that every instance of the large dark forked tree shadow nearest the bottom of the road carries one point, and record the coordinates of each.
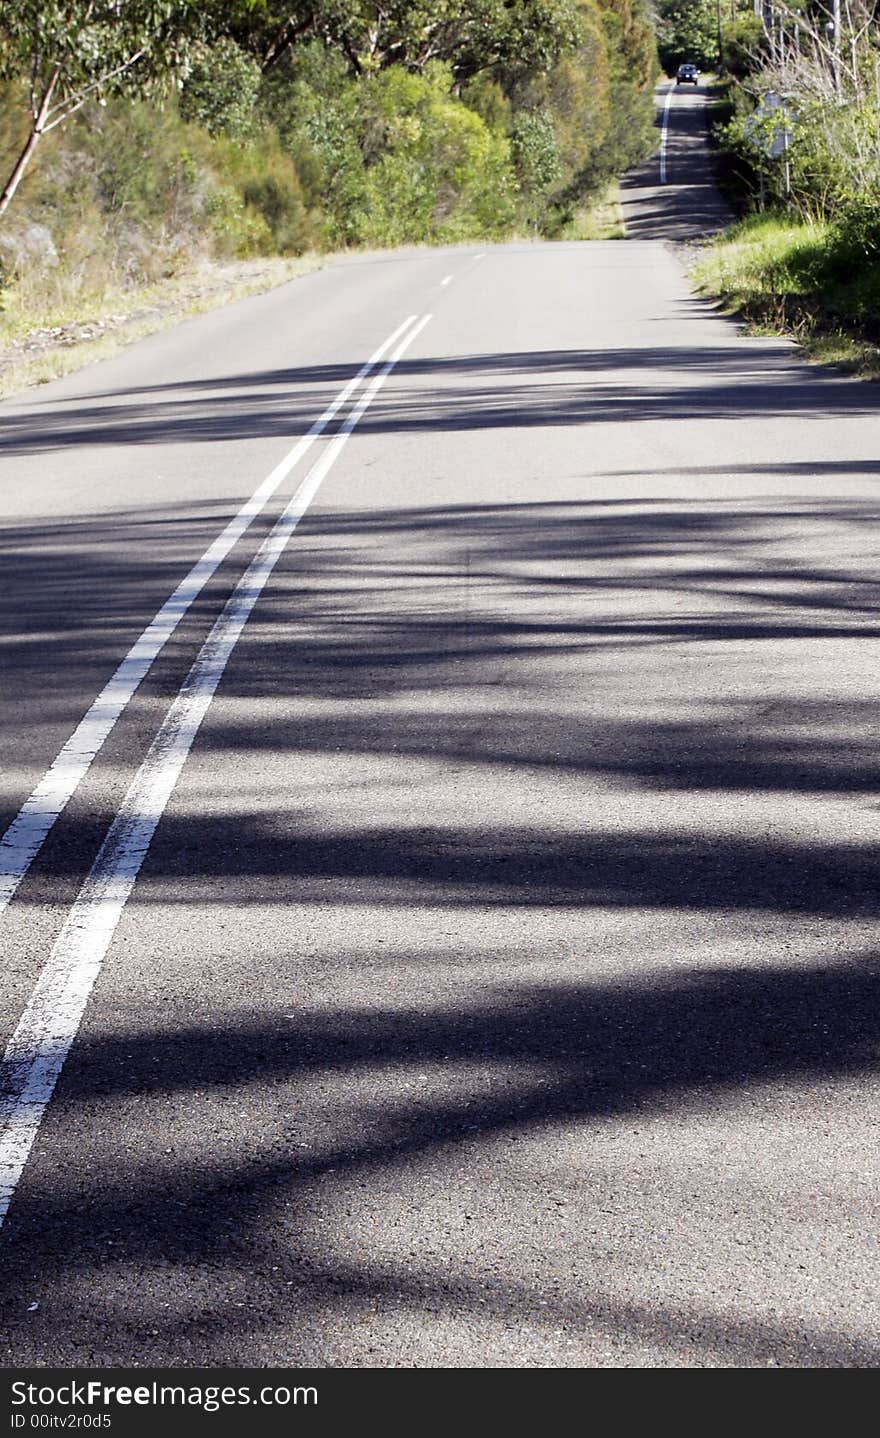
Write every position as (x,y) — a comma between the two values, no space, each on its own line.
(505,1065)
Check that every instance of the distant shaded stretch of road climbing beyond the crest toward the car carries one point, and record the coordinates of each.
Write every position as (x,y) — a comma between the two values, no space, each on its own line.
(674,196)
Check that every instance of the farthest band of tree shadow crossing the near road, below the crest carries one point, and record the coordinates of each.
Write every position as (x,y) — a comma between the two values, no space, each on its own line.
(462,395)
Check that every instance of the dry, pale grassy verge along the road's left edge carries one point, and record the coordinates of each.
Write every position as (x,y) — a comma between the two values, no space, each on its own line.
(45,340)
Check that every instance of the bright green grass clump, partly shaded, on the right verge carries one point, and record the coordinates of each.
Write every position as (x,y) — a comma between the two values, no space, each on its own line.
(800,280)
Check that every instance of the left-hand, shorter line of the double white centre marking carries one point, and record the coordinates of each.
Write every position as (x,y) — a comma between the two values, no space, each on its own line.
(25,836)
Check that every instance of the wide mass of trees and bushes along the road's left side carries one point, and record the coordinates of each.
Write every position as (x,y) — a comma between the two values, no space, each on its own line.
(149,140)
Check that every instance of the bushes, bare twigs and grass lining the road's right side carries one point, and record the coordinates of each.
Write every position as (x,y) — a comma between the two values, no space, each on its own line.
(799,129)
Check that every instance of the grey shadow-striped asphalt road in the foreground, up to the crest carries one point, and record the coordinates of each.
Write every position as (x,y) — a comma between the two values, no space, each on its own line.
(500,987)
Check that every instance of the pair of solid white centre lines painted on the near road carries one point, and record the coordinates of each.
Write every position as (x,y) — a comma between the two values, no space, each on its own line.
(42,1040)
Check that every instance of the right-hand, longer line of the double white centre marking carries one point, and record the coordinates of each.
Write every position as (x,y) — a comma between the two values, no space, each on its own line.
(42,1040)
